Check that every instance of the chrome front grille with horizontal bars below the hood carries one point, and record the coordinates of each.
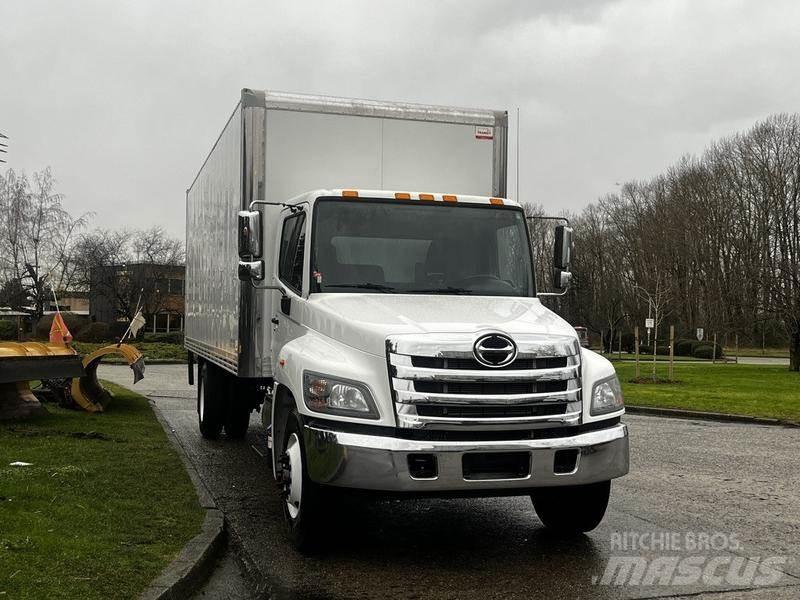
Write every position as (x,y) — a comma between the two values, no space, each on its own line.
(438,384)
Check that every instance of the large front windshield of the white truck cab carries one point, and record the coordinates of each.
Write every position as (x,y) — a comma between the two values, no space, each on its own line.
(410,247)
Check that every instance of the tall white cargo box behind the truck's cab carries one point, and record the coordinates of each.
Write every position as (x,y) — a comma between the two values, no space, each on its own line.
(276,146)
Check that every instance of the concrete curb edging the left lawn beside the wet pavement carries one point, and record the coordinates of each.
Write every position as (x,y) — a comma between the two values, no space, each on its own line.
(187,573)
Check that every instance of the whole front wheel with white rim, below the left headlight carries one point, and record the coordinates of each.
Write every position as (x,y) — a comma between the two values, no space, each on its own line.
(301,496)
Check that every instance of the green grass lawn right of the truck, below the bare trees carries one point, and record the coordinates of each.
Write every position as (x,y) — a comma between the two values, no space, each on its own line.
(754,390)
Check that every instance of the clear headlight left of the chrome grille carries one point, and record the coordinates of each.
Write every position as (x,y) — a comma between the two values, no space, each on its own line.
(337,396)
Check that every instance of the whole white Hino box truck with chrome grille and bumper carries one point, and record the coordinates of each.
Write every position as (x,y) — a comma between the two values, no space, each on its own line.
(355,273)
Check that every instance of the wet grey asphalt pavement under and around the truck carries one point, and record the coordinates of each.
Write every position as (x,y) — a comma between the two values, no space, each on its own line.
(688,478)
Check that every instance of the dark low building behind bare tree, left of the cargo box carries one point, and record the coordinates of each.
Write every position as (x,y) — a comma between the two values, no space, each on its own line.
(116,290)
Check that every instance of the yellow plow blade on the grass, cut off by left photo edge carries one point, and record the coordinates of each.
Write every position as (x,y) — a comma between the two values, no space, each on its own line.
(21,363)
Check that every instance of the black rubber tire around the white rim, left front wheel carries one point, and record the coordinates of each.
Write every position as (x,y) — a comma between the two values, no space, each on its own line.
(301,521)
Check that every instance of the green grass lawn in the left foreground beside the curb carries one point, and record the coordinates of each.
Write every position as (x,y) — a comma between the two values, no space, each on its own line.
(104,507)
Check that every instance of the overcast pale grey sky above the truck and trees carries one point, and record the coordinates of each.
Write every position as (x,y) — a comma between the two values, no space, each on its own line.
(124,99)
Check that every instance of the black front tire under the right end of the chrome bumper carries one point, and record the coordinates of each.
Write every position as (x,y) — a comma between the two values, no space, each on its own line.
(572,509)
